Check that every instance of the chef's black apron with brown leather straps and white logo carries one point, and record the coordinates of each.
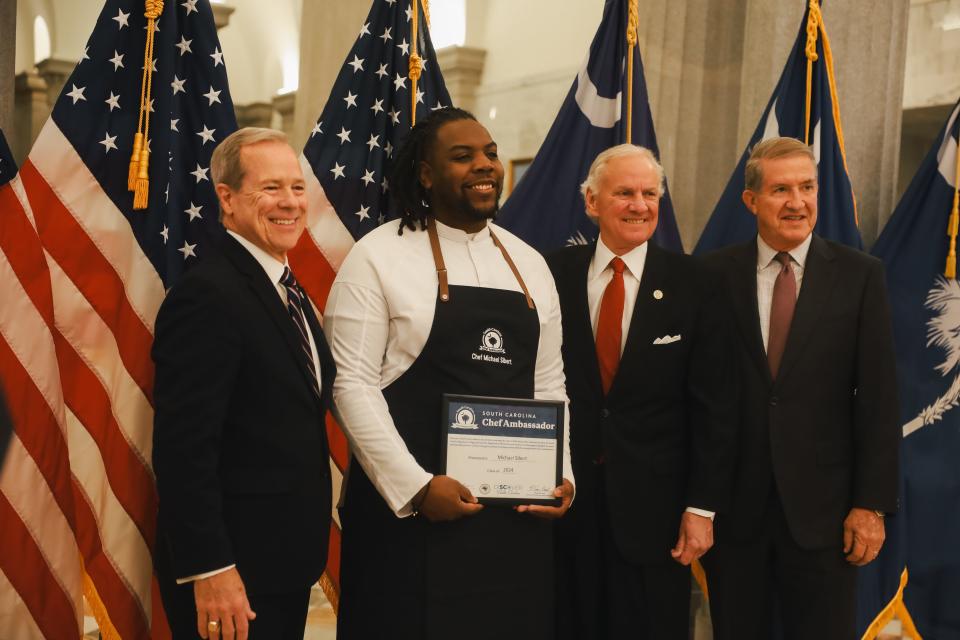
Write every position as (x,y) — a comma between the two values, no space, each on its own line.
(489,575)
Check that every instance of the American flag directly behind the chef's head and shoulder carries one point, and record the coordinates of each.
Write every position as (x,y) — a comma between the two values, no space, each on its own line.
(347,162)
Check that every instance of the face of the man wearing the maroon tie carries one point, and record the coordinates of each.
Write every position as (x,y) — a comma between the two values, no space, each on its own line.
(786,203)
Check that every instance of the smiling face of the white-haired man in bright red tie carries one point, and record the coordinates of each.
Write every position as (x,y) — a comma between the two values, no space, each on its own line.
(626,203)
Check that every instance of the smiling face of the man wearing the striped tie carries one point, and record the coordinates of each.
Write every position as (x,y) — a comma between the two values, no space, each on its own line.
(270,207)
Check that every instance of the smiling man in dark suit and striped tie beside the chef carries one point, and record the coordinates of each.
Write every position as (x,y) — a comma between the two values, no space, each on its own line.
(243,381)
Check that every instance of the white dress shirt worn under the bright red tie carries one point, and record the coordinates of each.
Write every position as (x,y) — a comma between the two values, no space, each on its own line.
(599,276)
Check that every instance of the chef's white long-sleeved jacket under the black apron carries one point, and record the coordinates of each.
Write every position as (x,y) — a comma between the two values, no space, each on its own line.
(377,320)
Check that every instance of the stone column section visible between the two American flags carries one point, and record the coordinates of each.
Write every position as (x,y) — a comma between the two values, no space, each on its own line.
(323,49)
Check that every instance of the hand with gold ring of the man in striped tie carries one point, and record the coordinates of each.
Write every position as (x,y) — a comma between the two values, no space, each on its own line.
(222,598)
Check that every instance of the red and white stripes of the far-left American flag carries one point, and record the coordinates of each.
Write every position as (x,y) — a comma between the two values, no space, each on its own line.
(80,299)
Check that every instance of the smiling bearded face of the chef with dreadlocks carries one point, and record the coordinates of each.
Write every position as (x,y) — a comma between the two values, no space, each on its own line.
(463,175)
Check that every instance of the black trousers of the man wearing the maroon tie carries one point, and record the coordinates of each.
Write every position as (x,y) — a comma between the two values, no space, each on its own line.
(771,587)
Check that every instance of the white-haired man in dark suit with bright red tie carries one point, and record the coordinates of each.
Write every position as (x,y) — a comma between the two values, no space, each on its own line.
(647,359)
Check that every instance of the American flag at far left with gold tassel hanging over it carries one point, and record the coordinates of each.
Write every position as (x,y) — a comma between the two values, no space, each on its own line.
(83,276)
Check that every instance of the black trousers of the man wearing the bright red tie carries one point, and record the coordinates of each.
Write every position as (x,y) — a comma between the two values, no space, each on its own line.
(601,595)
